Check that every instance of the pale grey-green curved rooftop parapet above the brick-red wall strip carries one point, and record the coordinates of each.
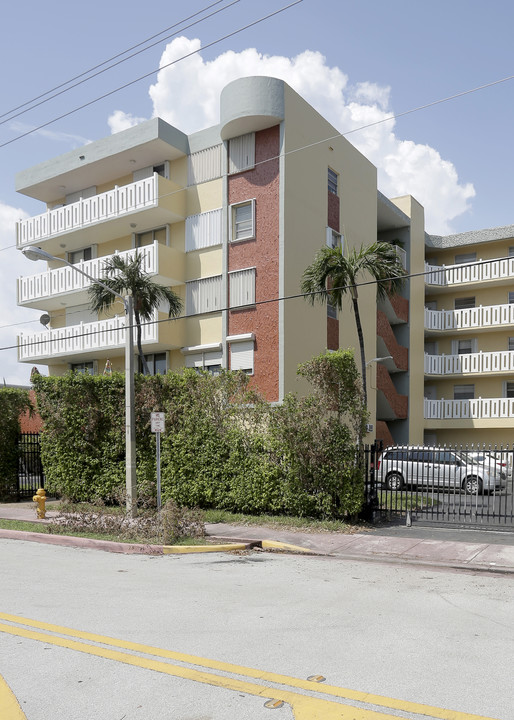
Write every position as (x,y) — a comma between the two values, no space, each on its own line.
(250,104)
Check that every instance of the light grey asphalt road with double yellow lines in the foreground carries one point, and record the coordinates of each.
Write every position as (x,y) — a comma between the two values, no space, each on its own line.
(407,634)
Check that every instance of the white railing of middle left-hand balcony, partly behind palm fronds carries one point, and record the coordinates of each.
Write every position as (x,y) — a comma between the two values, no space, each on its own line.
(65,279)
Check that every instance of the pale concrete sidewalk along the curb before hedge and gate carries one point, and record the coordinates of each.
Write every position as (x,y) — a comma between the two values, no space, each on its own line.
(451,548)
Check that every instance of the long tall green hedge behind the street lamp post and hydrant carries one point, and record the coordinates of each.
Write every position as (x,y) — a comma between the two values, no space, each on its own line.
(224,447)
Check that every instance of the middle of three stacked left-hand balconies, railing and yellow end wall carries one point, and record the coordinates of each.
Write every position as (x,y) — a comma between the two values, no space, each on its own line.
(48,290)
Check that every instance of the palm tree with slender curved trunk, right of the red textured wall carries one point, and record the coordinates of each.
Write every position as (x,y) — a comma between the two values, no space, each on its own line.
(332,275)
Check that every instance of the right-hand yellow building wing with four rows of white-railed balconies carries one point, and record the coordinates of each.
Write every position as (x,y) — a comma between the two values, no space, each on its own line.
(469,338)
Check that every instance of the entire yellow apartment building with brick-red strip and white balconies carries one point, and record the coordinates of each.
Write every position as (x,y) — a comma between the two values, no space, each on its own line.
(230,217)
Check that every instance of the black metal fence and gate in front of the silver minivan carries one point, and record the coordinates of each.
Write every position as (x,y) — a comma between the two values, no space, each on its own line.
(462,486)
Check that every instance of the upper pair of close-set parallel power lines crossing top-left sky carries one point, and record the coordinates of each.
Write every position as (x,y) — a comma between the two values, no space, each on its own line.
(34,104)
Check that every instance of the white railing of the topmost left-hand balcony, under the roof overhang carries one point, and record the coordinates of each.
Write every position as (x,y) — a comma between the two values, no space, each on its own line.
(106,206)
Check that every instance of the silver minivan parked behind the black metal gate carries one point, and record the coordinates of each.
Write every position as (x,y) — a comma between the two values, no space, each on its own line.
(435,467)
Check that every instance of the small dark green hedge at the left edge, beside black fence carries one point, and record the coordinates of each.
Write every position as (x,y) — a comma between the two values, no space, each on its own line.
(13,403)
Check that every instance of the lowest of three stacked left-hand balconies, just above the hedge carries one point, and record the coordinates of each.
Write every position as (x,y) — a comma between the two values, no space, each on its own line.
(86,341)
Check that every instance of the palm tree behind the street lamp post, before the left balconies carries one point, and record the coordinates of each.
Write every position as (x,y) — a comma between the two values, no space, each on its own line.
(122,275)
